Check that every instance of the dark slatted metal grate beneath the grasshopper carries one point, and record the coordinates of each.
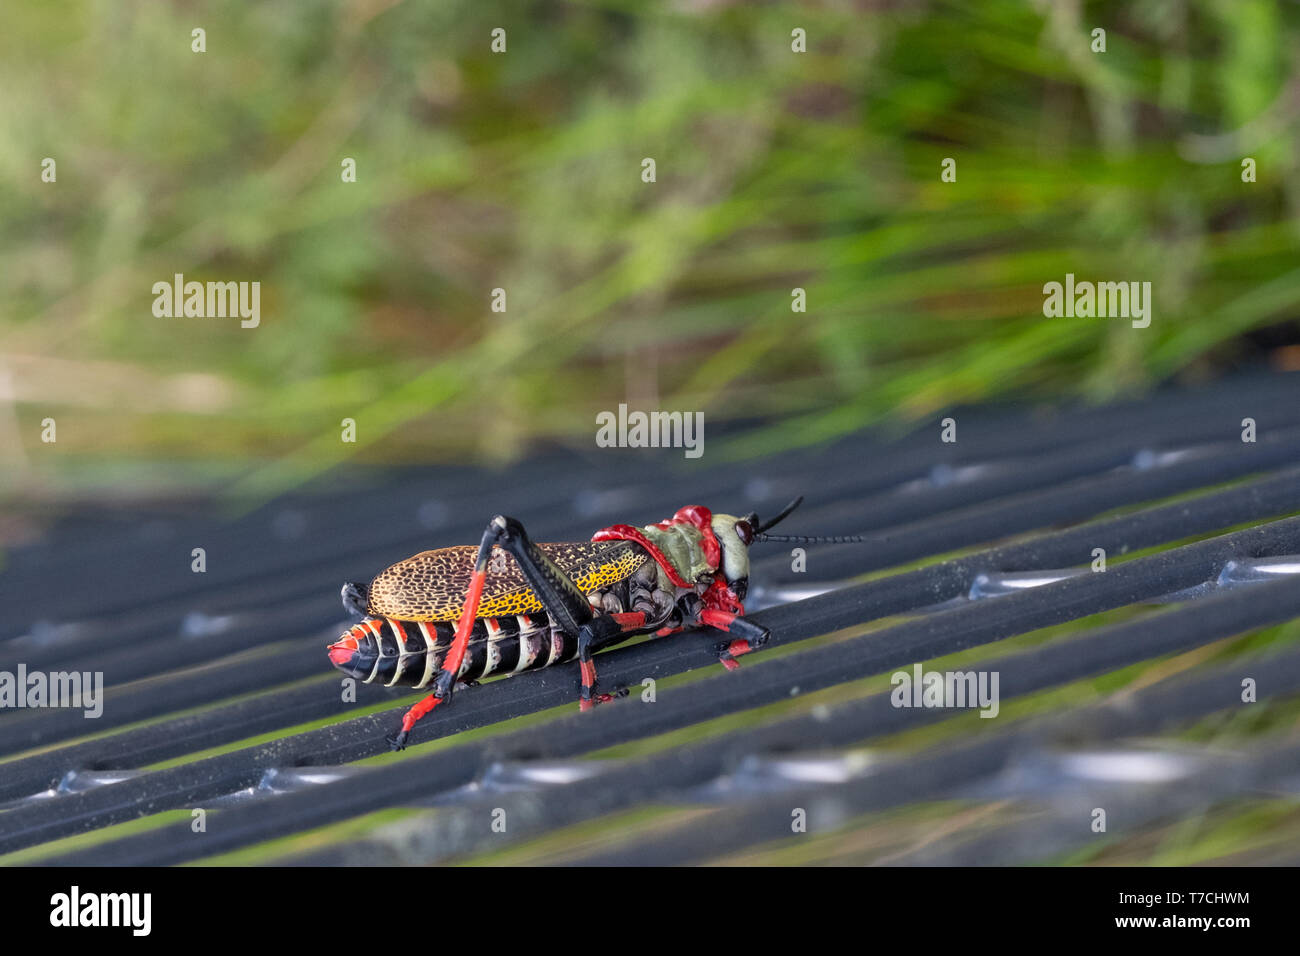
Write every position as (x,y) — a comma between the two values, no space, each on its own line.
(207,661)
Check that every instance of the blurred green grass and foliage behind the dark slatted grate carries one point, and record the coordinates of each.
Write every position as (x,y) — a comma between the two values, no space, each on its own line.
(523,171)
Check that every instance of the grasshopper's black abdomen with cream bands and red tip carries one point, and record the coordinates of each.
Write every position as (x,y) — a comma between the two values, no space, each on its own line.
(408,654)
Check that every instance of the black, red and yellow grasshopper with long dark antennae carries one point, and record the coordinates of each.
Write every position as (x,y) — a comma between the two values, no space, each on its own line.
(519,605)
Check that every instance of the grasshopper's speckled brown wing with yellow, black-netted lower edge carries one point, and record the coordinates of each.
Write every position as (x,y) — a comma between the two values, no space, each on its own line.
(432,586)
